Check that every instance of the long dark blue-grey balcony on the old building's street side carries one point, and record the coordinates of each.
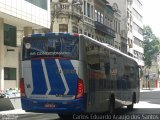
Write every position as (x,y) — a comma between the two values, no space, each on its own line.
(101,27)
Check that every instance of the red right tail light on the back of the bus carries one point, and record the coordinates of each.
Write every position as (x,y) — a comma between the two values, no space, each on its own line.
(80,88)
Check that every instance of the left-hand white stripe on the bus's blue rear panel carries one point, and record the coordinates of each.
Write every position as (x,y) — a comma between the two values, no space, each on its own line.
(46,76)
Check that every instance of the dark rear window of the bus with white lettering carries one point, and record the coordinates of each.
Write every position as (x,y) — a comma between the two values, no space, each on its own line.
(63,47)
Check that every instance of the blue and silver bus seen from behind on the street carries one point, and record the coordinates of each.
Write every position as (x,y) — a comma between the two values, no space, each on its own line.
(73,73)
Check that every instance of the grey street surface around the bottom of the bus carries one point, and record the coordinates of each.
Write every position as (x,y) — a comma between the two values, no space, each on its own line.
(147,109)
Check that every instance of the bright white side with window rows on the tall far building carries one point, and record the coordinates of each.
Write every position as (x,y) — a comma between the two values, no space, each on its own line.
(137,16)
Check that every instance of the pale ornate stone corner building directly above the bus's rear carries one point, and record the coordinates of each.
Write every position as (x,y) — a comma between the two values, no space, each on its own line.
(75,16)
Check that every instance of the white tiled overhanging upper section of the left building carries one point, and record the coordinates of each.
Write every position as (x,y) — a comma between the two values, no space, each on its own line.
(26,11)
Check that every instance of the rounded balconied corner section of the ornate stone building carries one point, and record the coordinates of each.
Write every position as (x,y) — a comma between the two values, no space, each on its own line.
(66,16)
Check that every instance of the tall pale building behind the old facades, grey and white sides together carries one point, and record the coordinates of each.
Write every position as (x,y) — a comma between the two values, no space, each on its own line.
(132,26)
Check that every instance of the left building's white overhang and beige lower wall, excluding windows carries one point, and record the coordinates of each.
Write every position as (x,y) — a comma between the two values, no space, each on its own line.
(21,14)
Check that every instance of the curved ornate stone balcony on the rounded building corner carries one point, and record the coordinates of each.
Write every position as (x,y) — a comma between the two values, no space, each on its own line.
(66,8)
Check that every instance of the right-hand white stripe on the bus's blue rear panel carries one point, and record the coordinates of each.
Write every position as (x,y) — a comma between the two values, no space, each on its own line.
(62,76)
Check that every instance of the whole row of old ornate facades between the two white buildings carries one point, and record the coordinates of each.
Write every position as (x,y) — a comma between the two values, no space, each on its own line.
(95,18)
